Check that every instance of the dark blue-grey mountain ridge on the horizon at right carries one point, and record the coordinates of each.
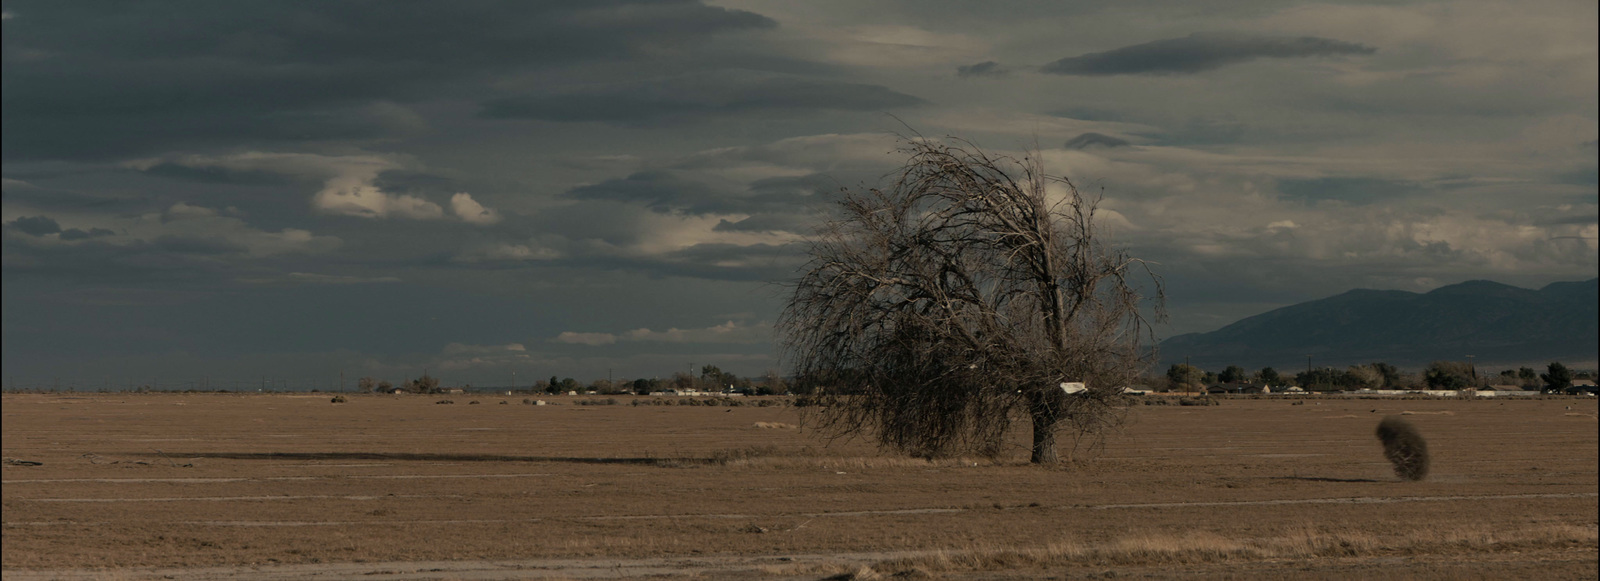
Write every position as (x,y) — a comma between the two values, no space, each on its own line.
(1498,324)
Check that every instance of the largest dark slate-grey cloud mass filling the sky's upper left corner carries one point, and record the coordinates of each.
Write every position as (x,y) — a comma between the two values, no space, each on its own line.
(105,79)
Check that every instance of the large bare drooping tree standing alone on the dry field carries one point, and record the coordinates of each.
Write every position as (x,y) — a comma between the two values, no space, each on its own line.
(938,311)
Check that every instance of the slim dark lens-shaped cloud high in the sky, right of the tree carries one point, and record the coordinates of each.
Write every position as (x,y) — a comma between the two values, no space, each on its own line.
(1198,54)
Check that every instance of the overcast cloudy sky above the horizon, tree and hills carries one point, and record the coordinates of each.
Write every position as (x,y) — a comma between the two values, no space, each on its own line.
(244,190)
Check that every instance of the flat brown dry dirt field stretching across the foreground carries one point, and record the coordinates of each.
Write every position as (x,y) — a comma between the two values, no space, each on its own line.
(399,487)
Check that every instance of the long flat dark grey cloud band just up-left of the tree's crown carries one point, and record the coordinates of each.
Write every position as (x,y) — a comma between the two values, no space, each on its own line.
(698,95)
